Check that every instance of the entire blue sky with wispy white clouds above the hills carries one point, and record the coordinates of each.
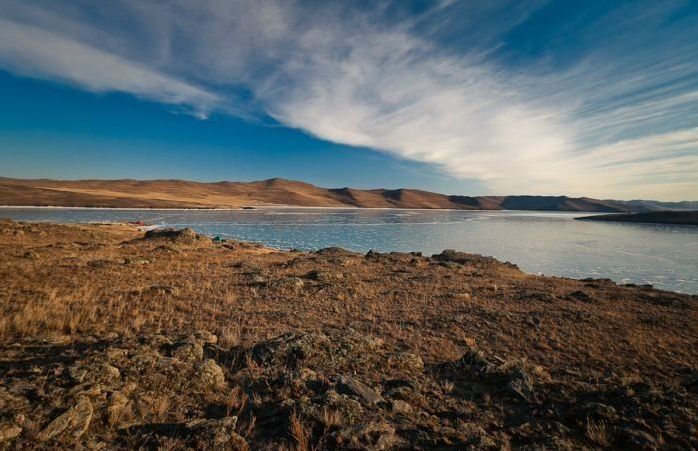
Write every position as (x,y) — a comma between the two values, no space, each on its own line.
(591,98)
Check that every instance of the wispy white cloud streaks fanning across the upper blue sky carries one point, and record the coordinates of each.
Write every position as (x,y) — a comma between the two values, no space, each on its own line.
(616,120)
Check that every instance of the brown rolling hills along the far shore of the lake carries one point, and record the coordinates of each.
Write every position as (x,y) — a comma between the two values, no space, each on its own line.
(127,193)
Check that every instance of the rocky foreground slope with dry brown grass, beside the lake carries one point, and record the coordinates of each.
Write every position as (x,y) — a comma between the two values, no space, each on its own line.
(115,340)
